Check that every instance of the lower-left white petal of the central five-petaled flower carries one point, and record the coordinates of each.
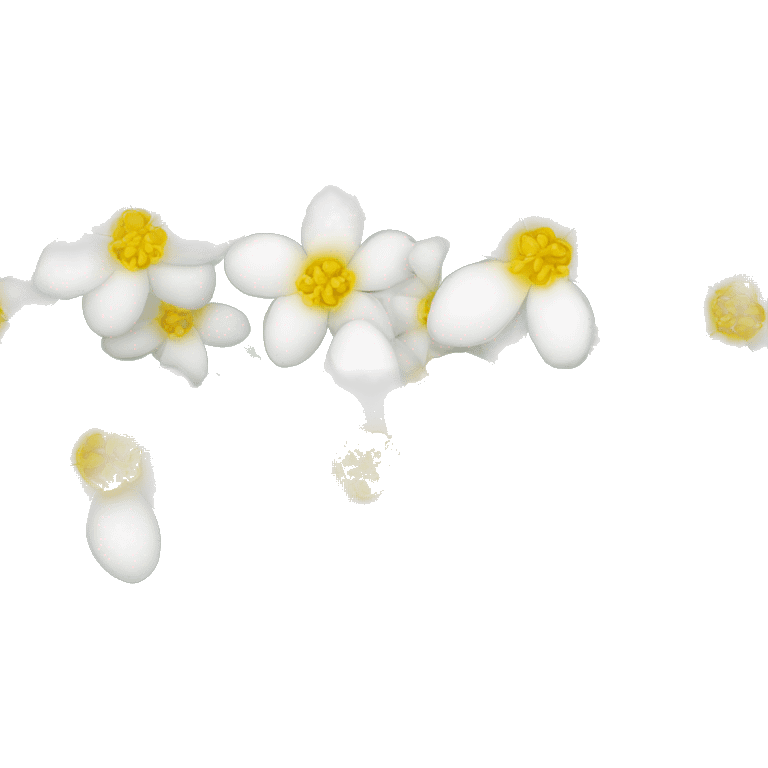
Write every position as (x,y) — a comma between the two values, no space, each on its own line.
(293,331)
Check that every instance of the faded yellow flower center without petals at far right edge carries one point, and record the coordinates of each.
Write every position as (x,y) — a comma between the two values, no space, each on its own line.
(735,314)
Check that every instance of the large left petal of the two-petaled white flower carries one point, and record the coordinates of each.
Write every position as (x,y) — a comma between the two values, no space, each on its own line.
(474,303)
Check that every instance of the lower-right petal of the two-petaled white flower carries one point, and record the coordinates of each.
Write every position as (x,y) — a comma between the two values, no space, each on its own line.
(561,323)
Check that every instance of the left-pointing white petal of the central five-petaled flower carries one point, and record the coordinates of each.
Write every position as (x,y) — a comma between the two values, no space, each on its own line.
(264,265)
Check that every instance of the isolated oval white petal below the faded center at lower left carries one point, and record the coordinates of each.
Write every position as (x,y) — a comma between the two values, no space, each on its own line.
(123,534)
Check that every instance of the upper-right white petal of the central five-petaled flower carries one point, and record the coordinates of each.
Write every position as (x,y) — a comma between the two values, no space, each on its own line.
(382,260)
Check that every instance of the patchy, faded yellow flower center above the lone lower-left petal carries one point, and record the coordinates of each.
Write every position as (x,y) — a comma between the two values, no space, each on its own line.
(105,459)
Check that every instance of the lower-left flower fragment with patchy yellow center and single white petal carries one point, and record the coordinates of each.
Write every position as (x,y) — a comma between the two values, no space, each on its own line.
(122,530)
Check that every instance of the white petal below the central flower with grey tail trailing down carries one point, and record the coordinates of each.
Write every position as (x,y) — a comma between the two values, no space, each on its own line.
(361,360)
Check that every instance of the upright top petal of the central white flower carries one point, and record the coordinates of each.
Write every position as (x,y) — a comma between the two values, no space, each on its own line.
(333,223)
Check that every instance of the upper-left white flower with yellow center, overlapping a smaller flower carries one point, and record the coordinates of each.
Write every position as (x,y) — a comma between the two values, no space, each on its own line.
(114,268)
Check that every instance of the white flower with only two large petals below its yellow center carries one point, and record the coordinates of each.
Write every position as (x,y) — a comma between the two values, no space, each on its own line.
(477,303)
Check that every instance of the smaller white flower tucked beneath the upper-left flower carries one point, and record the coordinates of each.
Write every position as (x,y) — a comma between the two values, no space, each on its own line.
(176,337)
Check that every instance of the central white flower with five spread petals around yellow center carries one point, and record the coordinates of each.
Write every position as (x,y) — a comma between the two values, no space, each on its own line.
(323,284)
